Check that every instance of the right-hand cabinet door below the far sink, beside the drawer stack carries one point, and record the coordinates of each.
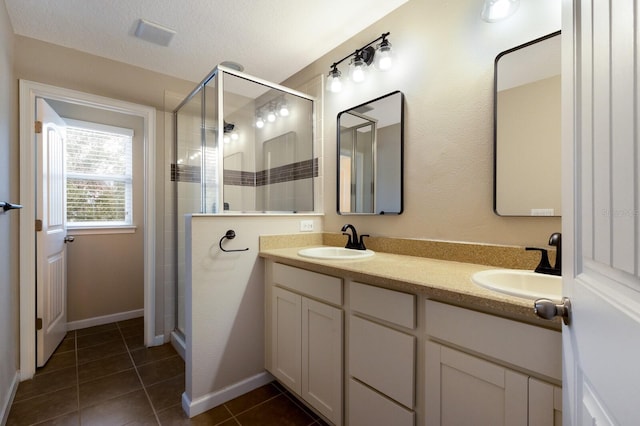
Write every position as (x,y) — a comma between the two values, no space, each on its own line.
(322,358)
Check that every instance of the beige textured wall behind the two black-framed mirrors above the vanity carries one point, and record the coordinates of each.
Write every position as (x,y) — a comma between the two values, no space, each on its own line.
(445,56)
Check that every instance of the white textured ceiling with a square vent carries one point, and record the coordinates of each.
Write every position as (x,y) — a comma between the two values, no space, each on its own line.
(272,39)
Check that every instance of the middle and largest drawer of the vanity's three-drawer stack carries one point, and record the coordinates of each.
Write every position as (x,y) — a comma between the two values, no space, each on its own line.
(382,358)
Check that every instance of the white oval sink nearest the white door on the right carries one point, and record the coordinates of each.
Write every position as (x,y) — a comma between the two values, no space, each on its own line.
(520,283)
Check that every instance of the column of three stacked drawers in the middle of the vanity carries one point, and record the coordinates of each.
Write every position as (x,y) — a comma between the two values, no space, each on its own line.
(382,356)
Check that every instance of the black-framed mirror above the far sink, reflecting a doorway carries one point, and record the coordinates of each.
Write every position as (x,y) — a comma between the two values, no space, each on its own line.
(370,157)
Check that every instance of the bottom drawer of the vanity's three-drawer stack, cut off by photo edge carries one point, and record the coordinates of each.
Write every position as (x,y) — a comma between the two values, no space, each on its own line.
(369,408)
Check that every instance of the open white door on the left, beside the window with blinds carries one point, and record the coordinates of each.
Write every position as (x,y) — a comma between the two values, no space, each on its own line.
(51,262)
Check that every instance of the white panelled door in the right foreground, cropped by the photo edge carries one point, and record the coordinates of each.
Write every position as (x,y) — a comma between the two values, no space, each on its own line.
(601,346)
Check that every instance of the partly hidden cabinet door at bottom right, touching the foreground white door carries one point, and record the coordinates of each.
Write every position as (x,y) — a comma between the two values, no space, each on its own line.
(545,404)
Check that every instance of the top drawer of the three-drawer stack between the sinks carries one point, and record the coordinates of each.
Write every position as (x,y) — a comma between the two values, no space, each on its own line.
(388,305)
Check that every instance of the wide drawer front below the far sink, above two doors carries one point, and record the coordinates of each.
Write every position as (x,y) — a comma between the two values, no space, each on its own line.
(319,286)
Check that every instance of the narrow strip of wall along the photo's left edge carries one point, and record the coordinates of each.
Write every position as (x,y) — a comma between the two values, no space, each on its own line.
(8,221)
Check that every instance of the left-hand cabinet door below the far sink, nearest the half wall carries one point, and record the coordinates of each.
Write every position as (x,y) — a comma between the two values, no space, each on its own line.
(286,338)
